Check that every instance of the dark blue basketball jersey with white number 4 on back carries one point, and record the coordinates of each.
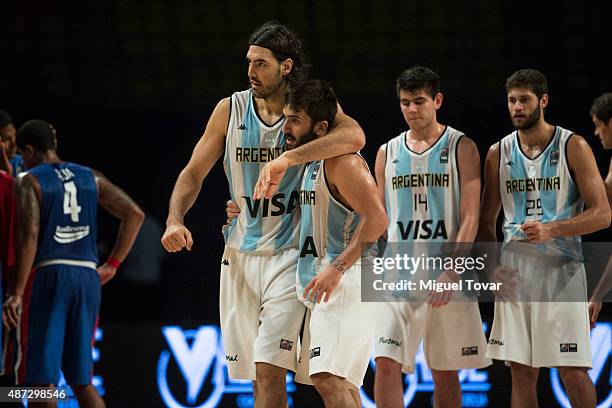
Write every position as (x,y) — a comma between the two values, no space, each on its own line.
(68,212)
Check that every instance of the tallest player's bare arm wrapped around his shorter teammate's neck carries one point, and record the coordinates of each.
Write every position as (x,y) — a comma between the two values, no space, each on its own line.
(346,136)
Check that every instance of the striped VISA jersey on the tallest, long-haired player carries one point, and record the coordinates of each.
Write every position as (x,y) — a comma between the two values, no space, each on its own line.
(268,225)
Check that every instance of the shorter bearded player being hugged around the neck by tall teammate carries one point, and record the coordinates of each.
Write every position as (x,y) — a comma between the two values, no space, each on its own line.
(340,211)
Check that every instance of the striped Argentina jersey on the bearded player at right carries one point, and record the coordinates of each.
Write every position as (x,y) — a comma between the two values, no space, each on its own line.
(538,189)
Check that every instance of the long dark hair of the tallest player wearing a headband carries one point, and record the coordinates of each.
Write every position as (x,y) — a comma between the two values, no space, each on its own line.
(284,44)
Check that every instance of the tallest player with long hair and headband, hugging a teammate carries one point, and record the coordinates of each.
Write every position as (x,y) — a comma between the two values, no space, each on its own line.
(259,312)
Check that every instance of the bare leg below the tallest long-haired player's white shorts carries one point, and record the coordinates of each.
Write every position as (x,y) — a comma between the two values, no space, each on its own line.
(271,388)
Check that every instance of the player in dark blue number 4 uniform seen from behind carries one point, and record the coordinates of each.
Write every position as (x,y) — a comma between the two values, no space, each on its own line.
(56,243)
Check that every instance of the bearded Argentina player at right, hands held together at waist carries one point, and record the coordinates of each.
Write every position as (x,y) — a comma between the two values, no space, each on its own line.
(541,175)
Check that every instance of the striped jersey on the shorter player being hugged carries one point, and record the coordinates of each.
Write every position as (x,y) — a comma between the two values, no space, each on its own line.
(326,225)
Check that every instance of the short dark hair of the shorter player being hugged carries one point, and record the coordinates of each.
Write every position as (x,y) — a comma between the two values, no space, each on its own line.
(316,98)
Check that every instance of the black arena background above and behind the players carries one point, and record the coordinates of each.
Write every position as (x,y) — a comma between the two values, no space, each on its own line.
(129,86)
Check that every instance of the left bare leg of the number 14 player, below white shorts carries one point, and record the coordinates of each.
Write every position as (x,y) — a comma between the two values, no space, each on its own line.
(388,386)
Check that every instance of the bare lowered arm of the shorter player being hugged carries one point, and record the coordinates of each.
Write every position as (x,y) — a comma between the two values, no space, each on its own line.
(350,180)
